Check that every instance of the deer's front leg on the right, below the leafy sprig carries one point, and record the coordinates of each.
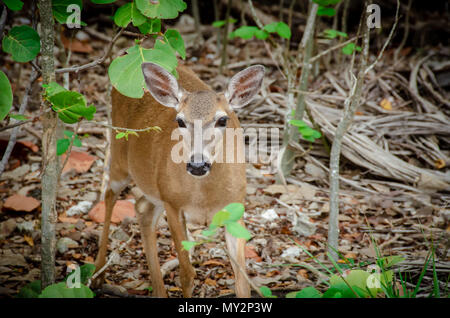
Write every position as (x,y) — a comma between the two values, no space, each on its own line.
(236,248)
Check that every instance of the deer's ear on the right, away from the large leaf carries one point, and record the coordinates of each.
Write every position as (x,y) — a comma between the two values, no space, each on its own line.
(244,85)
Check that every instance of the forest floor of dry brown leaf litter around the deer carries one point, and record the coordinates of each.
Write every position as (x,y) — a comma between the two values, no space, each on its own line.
(404,218)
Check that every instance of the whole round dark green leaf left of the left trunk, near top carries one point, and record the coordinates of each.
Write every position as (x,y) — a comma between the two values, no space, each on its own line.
(23,43)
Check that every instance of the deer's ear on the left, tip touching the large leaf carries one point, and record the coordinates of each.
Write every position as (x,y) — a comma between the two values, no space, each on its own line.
(162,85)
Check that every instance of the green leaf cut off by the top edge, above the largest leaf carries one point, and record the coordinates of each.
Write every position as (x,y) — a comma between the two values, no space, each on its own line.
(162,9)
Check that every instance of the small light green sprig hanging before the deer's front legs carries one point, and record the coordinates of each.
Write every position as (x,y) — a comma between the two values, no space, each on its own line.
(228,218)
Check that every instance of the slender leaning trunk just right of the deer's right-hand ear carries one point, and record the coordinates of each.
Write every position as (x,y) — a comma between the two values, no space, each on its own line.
(306,46)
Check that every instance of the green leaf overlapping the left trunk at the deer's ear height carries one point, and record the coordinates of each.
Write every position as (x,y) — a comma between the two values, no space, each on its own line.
(71,106)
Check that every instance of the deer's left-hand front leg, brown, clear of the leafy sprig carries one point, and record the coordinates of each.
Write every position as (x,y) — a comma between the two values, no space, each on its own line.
(177,227)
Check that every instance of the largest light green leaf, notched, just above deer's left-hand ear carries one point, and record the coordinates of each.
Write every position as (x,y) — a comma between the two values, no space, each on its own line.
(125,72)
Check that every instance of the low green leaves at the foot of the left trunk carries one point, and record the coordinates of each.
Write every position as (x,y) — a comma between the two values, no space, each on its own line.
(73,286)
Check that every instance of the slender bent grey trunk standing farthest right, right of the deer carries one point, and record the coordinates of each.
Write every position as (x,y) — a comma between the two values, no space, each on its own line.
(351,104)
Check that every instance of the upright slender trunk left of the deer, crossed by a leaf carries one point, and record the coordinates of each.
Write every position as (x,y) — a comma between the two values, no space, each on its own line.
(50,164)
